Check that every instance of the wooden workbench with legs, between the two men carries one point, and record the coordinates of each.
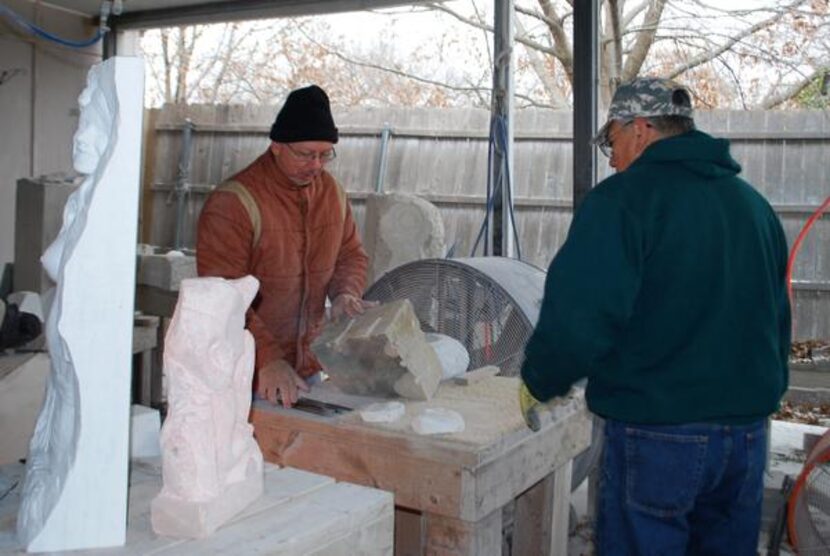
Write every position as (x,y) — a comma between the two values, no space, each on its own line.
(450,490)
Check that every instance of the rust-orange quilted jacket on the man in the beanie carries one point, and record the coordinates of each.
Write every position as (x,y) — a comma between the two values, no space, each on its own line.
(308,248)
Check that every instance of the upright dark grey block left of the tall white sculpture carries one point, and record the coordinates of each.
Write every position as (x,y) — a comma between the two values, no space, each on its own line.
(38,217)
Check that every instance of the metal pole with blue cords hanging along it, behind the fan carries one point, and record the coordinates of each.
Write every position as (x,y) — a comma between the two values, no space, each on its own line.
(501,173)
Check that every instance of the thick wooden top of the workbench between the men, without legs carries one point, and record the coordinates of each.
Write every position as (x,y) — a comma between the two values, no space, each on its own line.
(466,474)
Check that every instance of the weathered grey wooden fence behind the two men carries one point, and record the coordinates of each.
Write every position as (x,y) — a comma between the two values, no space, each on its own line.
(441,155)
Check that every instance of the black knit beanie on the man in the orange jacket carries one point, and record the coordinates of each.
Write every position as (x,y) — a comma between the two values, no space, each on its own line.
(305,116)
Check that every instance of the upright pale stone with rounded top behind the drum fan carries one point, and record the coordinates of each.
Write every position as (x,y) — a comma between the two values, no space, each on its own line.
(401,228)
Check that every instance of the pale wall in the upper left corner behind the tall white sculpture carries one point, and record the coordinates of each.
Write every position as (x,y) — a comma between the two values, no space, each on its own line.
(38,106)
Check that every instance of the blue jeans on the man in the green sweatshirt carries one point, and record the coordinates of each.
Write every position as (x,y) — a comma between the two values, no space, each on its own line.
(681,489)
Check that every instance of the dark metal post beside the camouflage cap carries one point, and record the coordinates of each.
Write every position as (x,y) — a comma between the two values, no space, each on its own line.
(586,82)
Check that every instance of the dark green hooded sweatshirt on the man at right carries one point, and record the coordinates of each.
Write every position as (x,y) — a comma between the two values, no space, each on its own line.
(669,294)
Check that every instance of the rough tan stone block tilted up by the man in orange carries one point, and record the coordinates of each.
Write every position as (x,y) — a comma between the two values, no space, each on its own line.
(382,352)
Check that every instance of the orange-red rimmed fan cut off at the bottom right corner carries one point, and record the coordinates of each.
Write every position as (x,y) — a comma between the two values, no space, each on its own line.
(808,511)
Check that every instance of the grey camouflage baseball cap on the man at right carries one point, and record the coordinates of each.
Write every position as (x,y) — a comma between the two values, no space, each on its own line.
(647,97)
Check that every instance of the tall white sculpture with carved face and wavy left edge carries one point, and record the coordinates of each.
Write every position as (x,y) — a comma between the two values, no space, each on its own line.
(75,490)
